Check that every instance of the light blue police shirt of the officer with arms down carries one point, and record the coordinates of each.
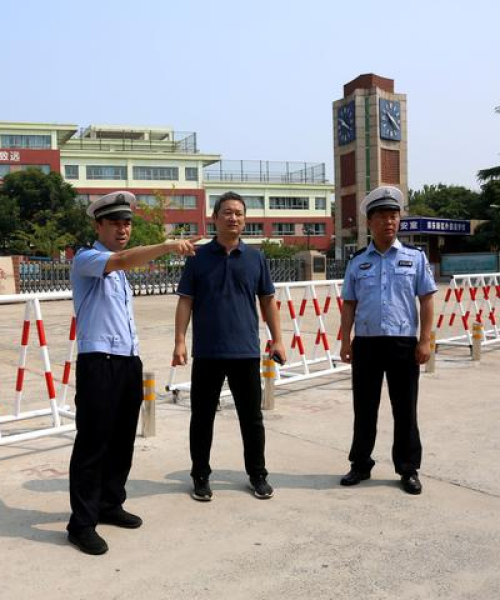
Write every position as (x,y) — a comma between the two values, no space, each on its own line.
(385,287)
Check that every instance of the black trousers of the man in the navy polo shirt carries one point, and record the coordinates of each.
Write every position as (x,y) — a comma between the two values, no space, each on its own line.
(207,379)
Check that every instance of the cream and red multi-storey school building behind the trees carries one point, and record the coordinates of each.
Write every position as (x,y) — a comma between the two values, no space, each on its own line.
(289,202)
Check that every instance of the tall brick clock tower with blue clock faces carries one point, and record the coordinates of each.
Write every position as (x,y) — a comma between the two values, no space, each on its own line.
(370,149)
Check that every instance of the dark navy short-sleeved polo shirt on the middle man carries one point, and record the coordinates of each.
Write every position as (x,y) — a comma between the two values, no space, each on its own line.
(223,287)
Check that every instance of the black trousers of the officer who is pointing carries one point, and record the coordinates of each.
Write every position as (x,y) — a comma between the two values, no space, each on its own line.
(108,398)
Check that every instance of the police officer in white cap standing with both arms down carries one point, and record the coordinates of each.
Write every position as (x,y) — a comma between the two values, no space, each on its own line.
(381,284)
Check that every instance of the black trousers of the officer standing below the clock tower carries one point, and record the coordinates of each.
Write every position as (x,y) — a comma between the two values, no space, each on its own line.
(371,358)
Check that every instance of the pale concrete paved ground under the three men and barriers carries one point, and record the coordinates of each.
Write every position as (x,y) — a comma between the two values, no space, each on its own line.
(314,539)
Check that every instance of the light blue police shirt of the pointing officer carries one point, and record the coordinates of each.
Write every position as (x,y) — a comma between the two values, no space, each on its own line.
(103,305)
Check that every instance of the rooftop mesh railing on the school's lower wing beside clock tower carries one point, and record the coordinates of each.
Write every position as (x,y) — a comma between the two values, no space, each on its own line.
(265,171)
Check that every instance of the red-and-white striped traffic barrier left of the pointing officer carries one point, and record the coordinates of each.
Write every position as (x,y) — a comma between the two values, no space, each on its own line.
(55,411)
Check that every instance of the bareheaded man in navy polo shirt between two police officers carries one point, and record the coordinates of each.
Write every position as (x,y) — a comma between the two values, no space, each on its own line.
(219,286)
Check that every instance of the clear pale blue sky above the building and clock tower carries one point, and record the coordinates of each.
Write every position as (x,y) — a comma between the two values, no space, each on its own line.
(256,79)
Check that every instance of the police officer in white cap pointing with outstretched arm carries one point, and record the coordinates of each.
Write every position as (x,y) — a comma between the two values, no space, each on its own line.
(109,388)
